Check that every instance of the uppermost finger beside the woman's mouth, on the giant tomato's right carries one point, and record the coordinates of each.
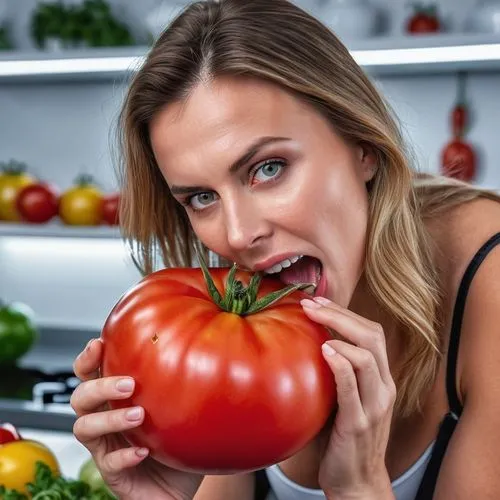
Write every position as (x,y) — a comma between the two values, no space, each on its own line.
(354,329)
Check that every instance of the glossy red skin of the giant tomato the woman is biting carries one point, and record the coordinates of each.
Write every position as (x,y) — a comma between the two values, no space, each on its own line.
(222,393)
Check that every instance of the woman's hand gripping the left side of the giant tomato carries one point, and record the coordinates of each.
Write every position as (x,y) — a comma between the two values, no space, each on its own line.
(127,470)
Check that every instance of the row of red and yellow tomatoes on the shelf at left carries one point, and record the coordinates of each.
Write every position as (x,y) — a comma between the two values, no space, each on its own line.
(24,198)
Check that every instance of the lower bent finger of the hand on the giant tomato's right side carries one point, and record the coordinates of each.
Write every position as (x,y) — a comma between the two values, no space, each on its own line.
(367,373)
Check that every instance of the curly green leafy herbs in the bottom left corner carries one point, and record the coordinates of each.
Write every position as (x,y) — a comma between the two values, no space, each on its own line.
(47,485)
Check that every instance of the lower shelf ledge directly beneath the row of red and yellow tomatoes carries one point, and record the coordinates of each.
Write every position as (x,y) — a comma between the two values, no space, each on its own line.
(54,230)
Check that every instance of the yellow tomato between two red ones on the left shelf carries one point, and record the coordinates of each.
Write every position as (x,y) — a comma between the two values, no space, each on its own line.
(81,205)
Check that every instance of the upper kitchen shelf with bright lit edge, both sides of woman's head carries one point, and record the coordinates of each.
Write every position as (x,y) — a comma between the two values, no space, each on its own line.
(379,55)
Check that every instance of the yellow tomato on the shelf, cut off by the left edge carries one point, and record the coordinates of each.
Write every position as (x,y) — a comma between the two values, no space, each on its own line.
(12,179)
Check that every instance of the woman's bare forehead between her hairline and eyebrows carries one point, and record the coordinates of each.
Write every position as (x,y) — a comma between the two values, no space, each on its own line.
(220,118)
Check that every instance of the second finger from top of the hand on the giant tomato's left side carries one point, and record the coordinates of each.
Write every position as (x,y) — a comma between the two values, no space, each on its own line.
(92,395)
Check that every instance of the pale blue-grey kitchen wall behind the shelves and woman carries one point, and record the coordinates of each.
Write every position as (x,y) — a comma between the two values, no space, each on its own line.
(61,129)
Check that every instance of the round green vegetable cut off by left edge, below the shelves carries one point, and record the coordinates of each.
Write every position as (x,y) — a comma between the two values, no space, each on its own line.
(18,332)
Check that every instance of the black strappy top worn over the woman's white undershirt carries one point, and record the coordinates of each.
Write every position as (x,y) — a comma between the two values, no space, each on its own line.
(449,422)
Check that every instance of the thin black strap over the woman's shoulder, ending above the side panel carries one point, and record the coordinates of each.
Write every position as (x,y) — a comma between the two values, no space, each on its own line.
(456,326)
